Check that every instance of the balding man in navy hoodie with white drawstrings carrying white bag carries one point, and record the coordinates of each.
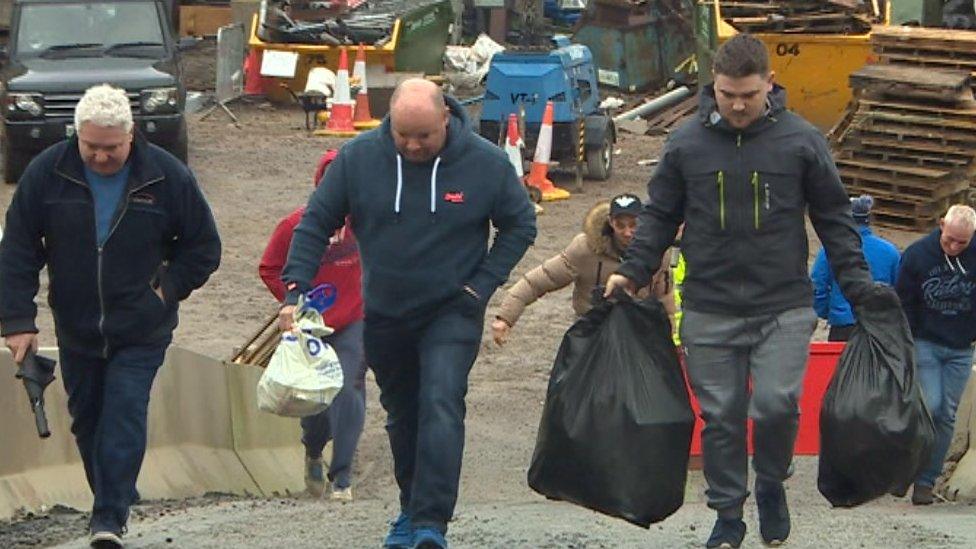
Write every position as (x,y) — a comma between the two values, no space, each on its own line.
(422,192)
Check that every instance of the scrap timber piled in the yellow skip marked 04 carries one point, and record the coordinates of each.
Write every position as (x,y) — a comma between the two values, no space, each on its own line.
(801,16)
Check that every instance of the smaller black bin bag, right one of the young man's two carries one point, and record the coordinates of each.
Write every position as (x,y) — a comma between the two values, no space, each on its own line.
(875,431)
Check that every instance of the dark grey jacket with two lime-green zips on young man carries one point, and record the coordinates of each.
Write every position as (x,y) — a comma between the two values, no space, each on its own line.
(742,195)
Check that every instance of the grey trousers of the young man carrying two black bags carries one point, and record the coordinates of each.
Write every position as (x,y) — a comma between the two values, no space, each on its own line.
(723,354)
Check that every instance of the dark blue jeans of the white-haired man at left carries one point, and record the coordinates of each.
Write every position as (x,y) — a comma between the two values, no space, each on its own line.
(108,400)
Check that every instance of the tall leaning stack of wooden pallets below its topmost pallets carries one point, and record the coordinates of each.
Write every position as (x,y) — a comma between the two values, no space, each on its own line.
(908,139)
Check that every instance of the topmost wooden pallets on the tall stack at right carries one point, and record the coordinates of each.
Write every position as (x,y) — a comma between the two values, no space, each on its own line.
(924,47)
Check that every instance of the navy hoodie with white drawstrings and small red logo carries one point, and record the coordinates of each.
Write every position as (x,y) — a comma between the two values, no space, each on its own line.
(423,229)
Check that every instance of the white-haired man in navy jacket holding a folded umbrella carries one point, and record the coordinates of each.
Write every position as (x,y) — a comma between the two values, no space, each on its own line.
(126,235)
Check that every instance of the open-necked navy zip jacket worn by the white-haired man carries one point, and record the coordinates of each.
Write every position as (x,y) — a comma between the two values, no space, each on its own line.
(102,298)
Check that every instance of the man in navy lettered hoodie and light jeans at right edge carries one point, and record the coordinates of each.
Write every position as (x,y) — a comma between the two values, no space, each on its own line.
(937,287)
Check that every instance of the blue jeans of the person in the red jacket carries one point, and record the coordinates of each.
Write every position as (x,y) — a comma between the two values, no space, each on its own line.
(342,422)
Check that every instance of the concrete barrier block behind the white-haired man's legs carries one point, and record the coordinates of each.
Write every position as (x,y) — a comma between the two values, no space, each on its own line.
(191,439)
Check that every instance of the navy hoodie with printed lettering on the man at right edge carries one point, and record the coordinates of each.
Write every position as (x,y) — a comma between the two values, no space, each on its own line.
(938,292)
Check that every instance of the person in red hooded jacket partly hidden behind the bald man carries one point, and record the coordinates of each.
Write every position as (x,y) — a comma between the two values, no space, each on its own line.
(342,422)
